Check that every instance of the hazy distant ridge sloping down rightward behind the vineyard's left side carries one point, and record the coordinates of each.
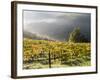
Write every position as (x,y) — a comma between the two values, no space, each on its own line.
(35,36)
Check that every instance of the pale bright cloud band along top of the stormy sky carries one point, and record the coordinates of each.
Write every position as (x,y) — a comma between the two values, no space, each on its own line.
(49,17)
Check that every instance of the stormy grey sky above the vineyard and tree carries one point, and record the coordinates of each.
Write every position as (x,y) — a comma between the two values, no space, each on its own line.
(56,25)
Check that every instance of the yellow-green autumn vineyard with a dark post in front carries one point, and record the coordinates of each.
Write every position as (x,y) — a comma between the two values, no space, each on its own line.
(39,54)
